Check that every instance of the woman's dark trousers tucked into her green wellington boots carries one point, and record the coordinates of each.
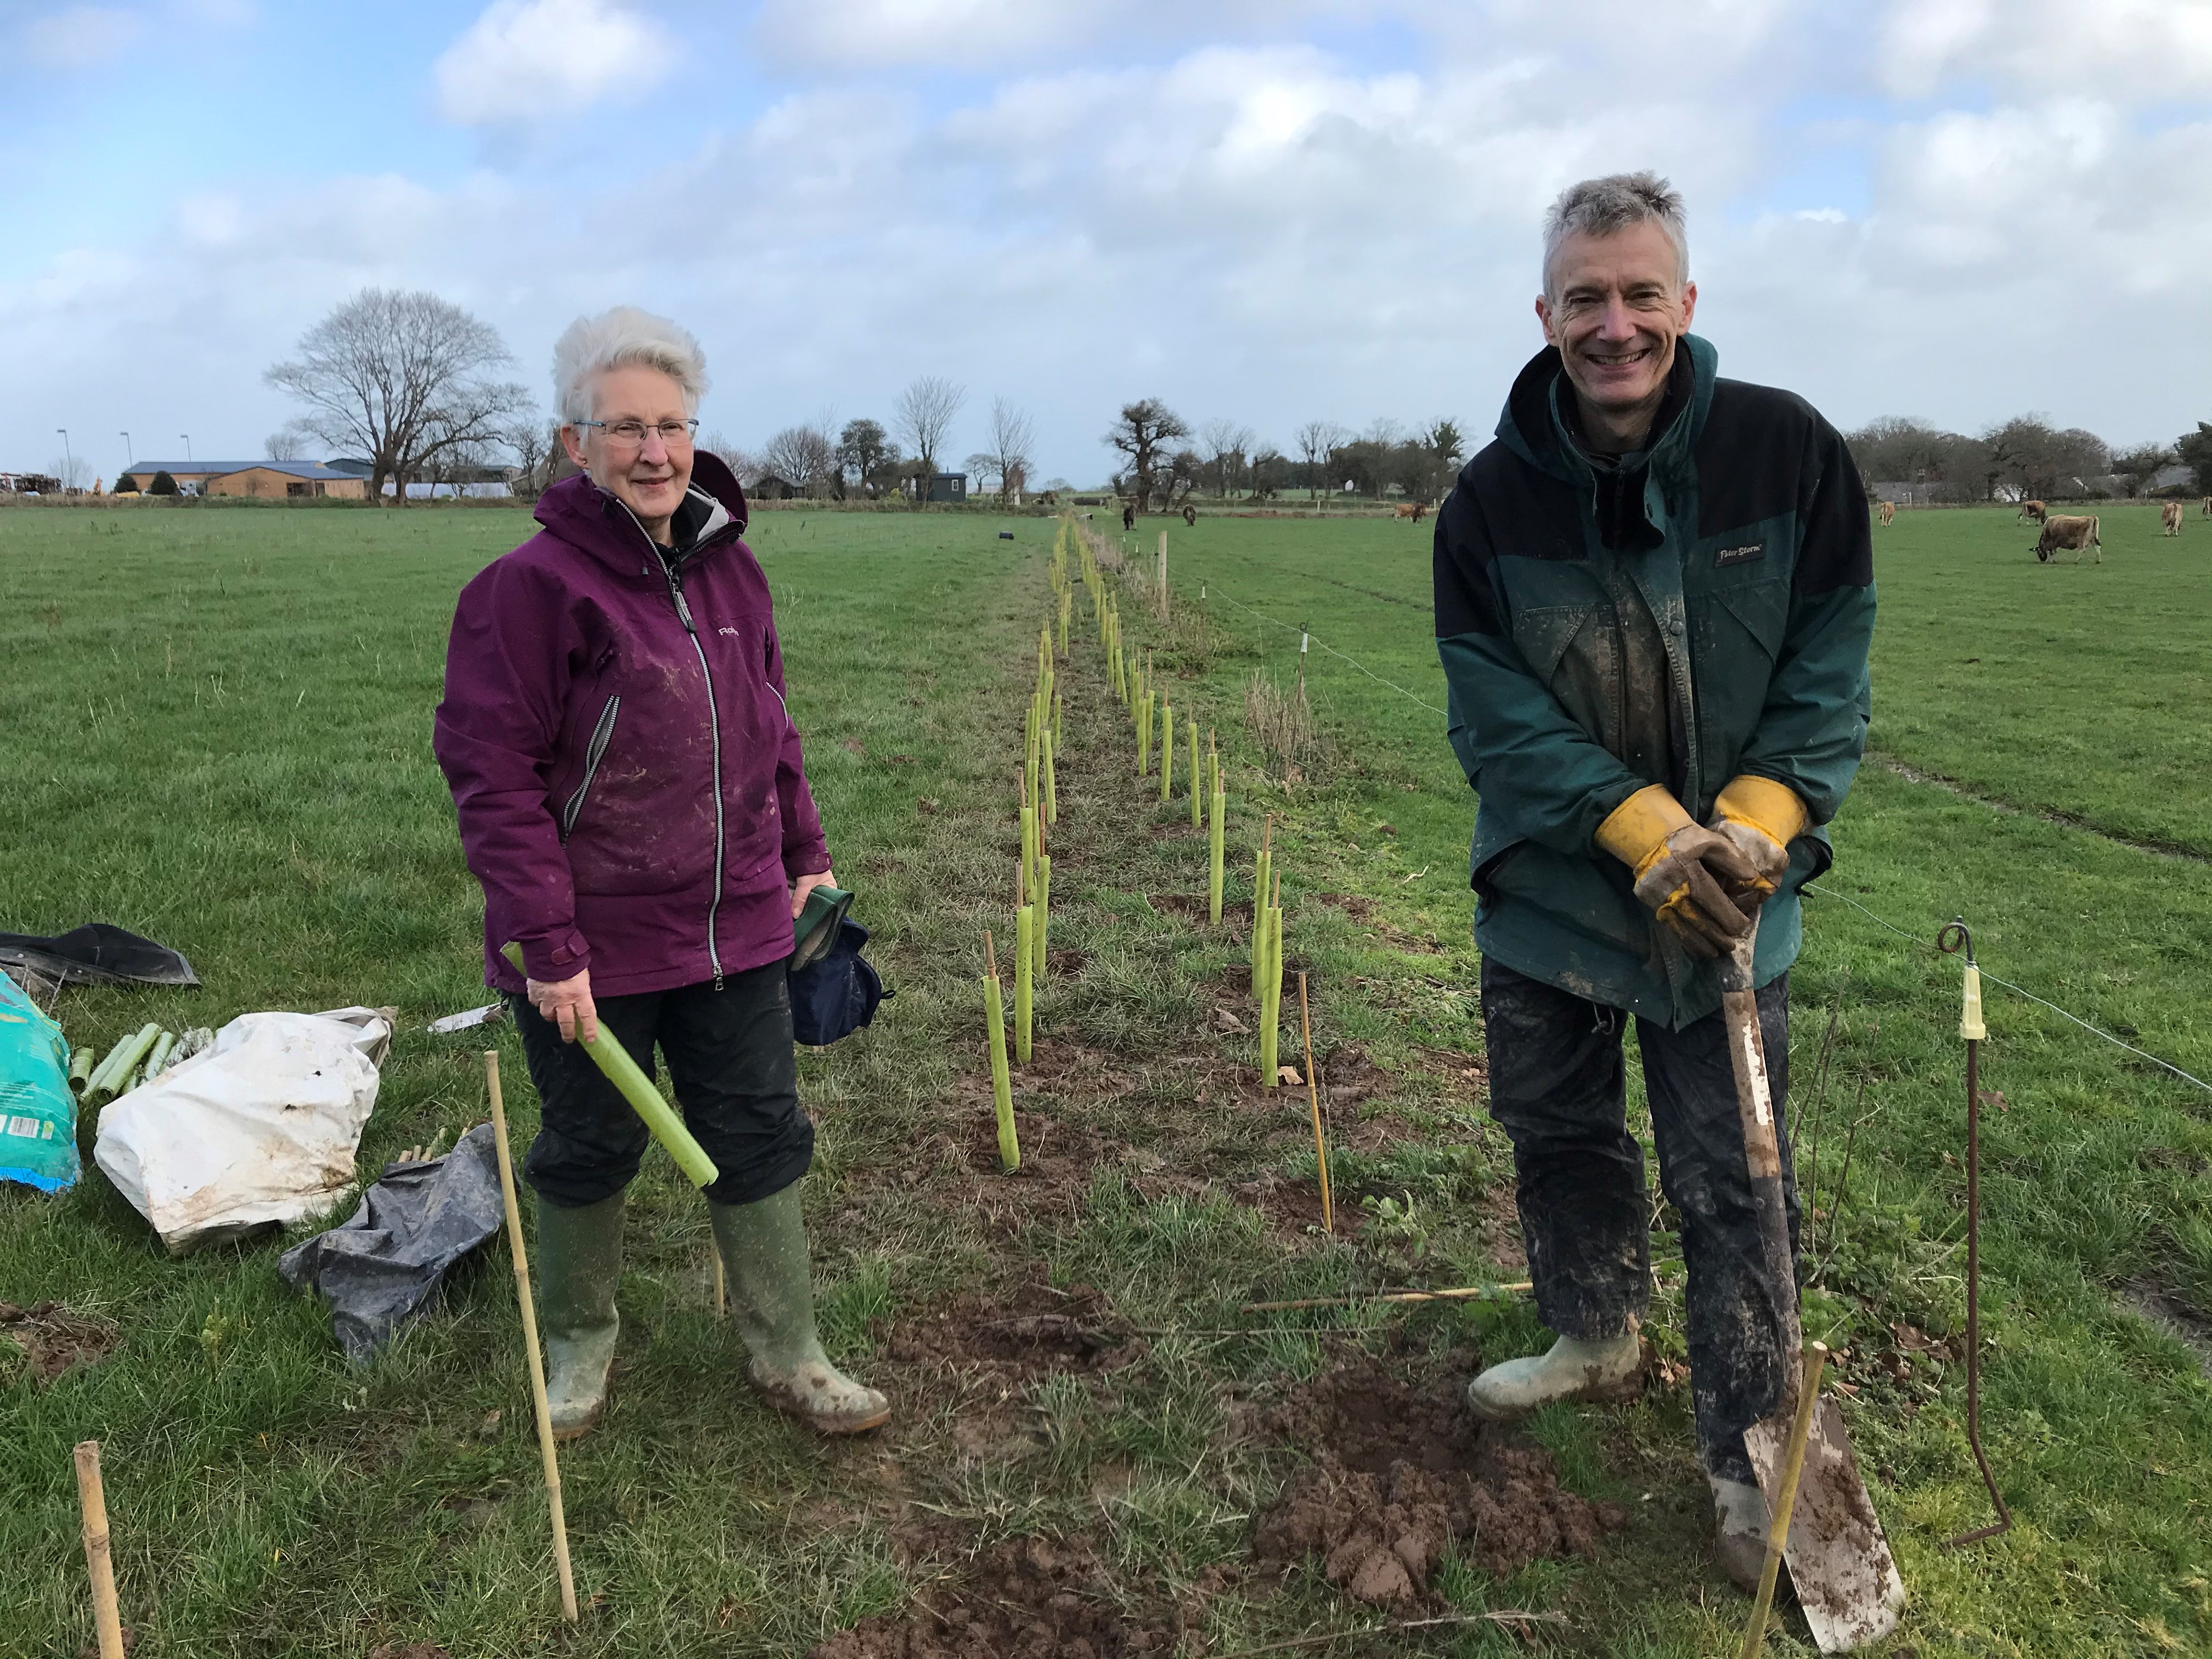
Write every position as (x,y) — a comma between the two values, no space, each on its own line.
(735,1076)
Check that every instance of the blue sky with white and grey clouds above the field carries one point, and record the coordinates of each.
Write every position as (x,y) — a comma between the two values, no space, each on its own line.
(1258,209)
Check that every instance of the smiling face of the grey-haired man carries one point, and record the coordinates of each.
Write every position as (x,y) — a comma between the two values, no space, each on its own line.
(1616,309)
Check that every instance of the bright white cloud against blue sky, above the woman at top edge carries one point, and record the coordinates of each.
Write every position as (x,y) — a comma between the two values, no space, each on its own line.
(536,61)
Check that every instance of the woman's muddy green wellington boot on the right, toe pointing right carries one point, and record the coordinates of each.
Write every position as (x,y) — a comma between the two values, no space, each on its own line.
(764,1251)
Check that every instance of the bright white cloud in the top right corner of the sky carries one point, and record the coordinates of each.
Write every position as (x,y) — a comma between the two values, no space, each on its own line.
(2140,50)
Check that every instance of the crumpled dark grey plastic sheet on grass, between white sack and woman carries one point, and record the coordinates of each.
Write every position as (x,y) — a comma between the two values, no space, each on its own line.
(386,1264)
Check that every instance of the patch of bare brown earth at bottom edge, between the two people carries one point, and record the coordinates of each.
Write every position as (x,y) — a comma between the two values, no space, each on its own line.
(1019,1598)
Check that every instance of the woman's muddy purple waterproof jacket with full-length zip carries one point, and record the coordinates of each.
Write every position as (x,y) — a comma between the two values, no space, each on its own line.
(629,784)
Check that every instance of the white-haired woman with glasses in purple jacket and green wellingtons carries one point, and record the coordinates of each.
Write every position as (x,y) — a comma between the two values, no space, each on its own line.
(634,802)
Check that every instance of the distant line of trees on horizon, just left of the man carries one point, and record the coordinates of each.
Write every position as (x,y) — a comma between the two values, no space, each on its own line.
(1165,461)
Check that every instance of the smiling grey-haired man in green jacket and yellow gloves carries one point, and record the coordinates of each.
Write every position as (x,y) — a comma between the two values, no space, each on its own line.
(1653,605)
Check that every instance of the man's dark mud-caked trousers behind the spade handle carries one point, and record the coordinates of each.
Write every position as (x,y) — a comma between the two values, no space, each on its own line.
(1558,1089)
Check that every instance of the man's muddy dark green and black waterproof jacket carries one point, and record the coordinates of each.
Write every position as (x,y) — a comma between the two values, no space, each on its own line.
(1740,539)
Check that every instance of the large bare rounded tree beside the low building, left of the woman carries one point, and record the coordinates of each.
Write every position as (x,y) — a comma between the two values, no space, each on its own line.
(401,379)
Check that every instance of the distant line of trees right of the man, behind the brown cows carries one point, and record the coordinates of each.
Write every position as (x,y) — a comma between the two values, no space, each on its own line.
(2023,459)
